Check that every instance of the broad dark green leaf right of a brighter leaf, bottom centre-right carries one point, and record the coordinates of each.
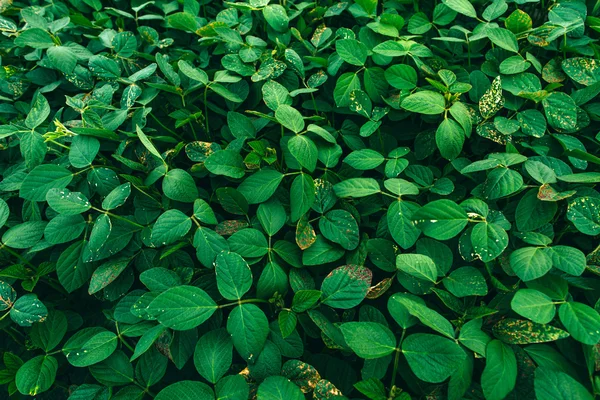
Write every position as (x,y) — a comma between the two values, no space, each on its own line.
(432,358)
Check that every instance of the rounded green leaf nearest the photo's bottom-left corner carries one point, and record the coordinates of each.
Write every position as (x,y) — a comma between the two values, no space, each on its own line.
(36,375)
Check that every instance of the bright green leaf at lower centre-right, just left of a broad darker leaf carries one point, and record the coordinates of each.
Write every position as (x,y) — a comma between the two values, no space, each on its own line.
(369,339)
